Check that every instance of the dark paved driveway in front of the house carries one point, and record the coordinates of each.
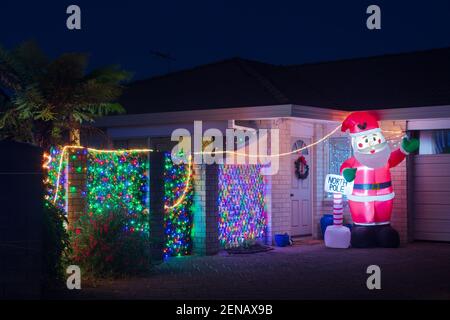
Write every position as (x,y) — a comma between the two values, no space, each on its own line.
(419,270)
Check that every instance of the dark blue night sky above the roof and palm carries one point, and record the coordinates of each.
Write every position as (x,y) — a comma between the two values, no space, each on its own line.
(201,31)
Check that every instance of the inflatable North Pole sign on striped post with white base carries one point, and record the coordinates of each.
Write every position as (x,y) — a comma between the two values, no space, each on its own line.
(337,235)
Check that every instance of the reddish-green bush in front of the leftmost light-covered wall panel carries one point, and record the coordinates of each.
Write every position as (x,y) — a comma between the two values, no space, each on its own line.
(102,245)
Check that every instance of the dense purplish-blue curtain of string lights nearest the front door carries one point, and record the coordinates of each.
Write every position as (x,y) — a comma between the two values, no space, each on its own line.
(241,201)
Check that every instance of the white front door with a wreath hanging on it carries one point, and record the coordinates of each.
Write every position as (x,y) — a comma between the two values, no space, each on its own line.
(301,215)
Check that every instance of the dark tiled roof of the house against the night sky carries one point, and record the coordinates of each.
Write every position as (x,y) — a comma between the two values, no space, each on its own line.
(389,81)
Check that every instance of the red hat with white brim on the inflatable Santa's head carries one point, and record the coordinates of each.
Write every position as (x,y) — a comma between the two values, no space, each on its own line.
(360,122)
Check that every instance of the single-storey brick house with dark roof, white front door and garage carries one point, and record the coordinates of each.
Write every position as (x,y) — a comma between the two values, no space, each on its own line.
(410,93)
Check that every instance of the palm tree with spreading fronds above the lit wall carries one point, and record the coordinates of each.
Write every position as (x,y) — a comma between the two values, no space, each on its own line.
(52,100)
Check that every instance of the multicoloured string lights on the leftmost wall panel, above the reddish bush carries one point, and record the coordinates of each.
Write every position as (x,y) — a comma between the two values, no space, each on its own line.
(116,180)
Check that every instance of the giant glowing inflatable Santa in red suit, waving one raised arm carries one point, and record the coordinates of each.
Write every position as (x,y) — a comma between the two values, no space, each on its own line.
(372,197)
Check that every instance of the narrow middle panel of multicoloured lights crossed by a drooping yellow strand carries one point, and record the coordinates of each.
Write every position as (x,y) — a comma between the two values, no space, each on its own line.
(178,198)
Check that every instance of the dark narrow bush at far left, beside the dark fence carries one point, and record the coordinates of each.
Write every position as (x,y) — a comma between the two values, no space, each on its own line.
(55,243)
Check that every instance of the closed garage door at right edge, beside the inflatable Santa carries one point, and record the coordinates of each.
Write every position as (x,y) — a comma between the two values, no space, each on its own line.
(432,197)
